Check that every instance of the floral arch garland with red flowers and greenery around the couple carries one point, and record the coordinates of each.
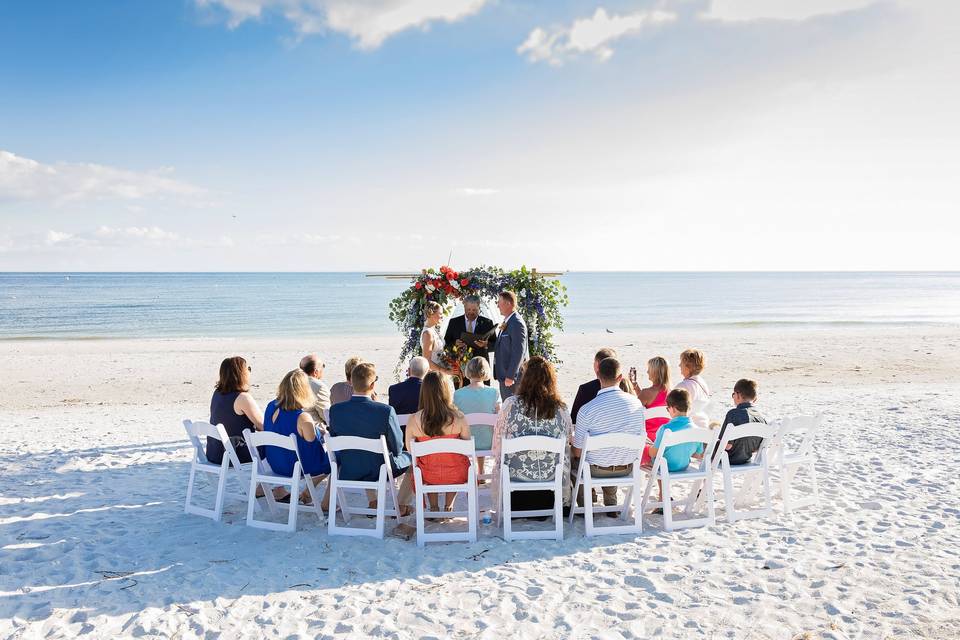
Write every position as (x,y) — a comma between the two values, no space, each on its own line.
(539,301)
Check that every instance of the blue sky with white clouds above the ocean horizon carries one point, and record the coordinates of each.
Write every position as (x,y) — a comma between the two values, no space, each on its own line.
(359,135)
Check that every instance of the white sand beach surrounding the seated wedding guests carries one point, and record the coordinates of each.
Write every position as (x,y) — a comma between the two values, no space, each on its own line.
(94,541)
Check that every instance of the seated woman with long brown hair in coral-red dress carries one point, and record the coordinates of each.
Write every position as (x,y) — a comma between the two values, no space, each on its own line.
(438,417)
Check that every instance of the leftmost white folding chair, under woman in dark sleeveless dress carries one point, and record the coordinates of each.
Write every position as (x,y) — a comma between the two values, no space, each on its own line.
(230,467)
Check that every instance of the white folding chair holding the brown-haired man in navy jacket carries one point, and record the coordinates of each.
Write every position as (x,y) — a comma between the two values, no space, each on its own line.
(338,487)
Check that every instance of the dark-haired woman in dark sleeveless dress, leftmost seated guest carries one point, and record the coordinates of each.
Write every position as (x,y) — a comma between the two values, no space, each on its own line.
(234,408)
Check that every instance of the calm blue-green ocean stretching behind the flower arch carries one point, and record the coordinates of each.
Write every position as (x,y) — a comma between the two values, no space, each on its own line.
(168,305)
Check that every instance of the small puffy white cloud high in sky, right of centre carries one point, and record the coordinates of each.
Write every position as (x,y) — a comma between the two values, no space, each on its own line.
(589,35)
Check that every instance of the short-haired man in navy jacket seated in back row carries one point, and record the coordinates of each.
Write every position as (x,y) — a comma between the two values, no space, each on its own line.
(362,416)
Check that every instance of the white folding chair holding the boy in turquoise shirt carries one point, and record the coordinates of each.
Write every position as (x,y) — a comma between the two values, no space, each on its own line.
(701,474)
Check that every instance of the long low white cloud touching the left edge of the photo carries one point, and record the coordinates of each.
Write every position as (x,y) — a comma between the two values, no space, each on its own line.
(25,179)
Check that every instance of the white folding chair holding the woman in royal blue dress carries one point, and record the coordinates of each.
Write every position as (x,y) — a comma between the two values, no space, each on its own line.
(261,474)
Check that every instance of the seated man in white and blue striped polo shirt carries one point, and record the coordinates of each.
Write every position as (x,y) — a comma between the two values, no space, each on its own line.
(612,411)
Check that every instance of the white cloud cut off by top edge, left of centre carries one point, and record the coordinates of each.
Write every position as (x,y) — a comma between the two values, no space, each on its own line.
(368,22)
